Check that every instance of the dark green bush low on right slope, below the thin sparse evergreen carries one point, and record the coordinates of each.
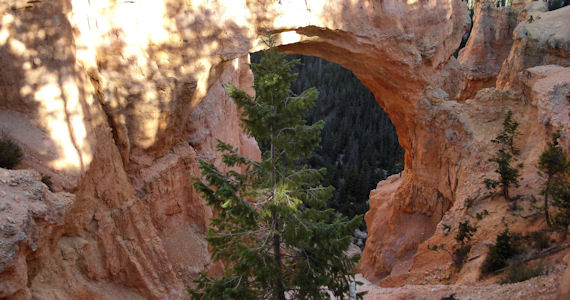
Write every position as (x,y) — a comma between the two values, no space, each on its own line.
(499,254)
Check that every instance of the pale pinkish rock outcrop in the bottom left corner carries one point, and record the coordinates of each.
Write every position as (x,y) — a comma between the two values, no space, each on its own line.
(29,215)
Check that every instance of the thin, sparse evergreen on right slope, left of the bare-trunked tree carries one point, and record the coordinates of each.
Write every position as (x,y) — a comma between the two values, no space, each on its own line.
(505,157)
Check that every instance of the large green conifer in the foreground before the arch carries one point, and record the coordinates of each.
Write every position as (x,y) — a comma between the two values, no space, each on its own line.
(271,231)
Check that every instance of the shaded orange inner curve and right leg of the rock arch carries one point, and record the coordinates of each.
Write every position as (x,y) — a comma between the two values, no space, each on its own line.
(415,90)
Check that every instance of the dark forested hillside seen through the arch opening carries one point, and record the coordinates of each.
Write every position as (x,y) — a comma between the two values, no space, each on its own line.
(359,143)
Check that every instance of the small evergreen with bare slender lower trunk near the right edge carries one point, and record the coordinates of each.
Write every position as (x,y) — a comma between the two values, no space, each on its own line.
(554,166)
